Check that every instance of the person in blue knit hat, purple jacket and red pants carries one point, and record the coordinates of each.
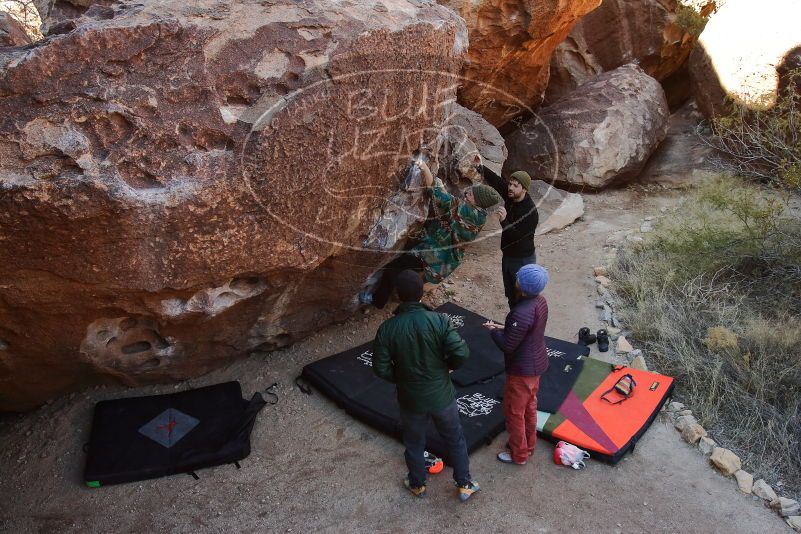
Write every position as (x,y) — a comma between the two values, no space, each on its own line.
(522,340)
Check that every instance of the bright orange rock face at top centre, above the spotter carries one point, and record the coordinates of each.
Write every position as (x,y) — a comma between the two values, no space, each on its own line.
(511,43)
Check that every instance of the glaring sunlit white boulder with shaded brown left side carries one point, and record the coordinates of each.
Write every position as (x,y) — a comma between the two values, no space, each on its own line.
(744,68)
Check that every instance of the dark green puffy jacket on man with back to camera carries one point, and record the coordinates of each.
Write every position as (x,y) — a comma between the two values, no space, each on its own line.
(415,350)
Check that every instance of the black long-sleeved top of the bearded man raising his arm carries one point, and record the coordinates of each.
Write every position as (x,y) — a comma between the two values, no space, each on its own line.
(517,239)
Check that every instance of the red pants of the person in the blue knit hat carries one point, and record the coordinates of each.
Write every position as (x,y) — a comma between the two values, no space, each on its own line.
(520,409)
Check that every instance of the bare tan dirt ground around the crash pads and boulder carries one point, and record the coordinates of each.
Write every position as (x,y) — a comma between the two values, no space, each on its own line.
(315,469)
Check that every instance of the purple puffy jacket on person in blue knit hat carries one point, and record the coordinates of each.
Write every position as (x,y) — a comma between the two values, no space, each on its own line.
(522,339)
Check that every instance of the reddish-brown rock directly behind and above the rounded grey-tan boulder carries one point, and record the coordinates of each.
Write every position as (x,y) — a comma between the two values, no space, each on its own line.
(617,33)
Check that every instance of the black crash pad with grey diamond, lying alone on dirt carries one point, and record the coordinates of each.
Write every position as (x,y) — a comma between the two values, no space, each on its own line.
(149,437)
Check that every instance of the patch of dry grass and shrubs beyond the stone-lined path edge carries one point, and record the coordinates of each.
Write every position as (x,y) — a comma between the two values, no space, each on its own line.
(720,264)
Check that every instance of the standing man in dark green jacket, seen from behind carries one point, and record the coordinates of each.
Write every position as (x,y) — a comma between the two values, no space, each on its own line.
(416,350)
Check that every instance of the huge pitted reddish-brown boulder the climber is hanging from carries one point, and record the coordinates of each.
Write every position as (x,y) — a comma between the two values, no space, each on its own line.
(195,180)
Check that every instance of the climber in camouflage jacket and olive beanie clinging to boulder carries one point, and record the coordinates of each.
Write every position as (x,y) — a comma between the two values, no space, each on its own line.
(456,222)
